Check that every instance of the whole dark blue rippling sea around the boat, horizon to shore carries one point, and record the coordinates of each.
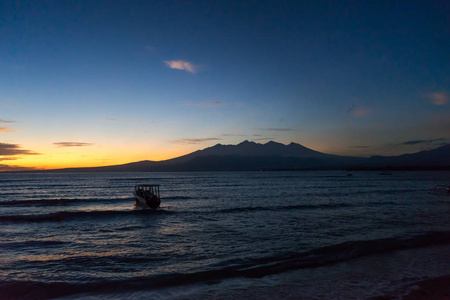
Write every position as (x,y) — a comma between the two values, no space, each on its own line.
(222,235)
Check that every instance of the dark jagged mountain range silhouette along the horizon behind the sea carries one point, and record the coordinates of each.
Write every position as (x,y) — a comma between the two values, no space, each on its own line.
(251,156)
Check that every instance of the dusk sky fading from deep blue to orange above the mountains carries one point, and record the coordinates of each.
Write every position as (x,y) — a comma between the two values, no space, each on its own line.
(94,83)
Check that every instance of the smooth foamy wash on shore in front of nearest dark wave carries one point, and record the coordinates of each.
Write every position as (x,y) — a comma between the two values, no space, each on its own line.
(355,279)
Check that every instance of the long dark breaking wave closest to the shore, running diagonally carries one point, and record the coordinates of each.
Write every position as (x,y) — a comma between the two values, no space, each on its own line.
(255,268)
